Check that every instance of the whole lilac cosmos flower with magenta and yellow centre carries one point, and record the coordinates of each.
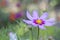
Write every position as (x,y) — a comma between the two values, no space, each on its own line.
(37,21)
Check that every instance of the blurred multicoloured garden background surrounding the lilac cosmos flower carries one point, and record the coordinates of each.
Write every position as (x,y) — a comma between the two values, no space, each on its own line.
(12,12)
